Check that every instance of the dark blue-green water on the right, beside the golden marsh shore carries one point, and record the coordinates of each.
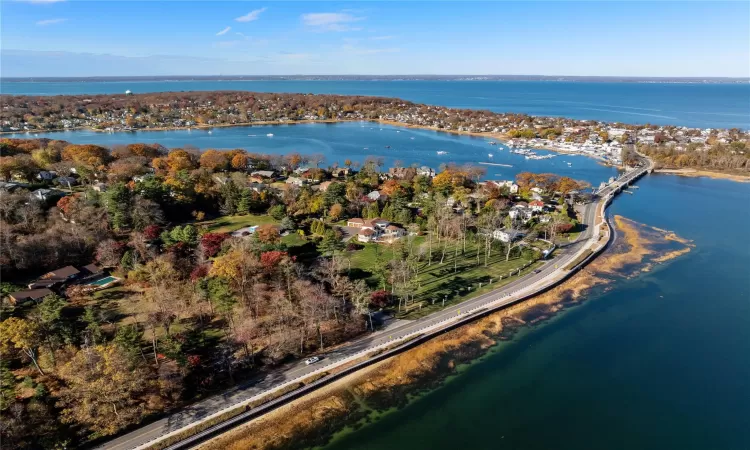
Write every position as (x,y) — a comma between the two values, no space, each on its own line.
(661,362)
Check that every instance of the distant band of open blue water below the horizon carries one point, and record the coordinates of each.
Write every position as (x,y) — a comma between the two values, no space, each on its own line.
(684,104)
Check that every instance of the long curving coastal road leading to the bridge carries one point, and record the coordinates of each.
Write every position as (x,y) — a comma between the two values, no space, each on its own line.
(551,273)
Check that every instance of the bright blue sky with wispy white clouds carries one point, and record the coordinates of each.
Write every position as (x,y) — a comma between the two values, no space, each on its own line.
(127,38)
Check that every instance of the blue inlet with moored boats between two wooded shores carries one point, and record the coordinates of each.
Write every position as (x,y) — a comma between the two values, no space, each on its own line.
(355,141)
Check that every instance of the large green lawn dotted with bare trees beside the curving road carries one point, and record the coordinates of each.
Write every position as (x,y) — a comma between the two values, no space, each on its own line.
(438,281)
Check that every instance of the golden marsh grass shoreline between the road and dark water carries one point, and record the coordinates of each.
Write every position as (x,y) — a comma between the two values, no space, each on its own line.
(365,396)
